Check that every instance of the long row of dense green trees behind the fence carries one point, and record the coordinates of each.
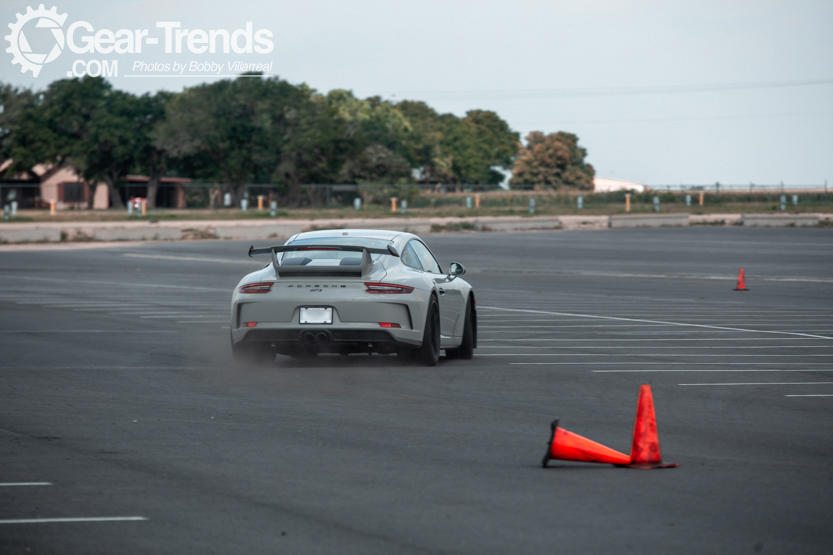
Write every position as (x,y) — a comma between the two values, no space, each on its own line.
(254,129)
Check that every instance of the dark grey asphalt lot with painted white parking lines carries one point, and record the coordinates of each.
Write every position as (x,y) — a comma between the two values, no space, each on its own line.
(119,397)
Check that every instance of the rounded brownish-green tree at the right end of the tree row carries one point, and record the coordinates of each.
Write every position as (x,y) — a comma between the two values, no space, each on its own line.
(554,159)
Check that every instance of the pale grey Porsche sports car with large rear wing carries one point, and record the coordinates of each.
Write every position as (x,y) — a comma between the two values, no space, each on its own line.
(353,291)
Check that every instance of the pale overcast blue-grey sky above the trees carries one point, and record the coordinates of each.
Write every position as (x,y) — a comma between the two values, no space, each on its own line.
(634,80)
